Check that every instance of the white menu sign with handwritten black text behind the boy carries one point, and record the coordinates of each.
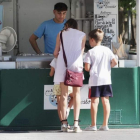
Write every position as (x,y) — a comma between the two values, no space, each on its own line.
(106,18)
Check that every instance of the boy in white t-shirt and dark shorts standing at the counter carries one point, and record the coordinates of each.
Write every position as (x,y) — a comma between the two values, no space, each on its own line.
(99,61)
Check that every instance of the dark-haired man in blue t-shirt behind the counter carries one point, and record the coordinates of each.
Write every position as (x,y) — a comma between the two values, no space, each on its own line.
(49,29)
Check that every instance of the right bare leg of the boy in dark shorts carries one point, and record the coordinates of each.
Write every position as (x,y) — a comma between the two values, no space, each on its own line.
(106,107)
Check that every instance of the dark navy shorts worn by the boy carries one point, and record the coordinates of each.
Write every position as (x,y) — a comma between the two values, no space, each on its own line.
(101,91)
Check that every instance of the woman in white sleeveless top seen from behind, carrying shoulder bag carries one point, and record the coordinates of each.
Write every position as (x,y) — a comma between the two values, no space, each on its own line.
(74,44)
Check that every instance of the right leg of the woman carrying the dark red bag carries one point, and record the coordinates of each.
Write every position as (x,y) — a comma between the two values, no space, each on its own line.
(76,104)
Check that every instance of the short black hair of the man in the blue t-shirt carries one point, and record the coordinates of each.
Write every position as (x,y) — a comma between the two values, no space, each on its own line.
(60,6)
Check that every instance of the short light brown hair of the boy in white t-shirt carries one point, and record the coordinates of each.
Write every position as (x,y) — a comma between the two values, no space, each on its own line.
(97,35)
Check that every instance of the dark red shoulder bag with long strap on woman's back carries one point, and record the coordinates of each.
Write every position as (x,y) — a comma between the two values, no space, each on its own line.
(74,79)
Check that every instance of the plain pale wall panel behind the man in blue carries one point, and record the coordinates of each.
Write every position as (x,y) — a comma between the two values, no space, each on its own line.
(31,14)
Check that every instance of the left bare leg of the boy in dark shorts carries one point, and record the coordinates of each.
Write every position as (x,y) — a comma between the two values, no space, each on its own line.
(94,109)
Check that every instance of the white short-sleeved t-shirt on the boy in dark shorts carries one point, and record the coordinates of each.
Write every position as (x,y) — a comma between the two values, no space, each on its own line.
(100,60)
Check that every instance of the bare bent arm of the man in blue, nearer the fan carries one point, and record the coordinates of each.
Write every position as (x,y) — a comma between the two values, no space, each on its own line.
(34,44)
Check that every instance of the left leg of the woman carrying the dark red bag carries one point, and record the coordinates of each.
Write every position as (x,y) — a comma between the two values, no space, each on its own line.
(63,101)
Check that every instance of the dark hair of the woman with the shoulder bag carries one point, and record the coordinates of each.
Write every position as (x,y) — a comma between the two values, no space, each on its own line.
(71,23)
